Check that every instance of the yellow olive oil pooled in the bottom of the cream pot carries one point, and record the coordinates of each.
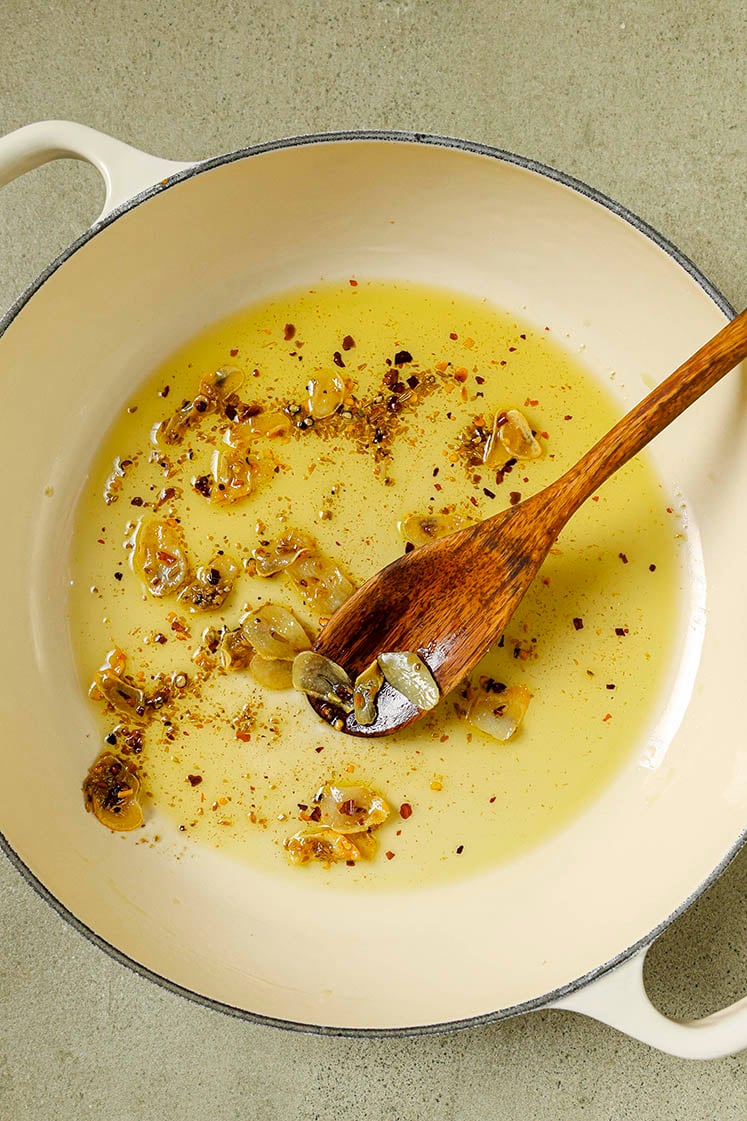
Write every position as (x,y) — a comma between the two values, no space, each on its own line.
(593,641)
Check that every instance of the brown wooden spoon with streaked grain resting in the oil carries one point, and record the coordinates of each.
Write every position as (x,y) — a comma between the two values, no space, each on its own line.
(450,600)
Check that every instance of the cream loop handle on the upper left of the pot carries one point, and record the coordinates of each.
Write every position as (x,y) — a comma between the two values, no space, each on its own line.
(126,171)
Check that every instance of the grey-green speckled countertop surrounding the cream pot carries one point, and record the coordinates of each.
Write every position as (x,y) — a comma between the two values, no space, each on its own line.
(647,101)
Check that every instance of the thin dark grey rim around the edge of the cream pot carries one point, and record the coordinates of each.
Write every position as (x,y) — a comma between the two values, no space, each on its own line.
(471,147)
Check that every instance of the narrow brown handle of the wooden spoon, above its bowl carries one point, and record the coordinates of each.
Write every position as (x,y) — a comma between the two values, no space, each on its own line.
(653,414)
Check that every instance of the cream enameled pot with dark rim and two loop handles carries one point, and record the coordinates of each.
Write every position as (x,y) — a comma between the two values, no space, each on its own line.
(179,246)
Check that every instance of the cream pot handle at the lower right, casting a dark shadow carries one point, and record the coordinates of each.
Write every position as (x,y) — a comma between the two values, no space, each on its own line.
(620,998)
